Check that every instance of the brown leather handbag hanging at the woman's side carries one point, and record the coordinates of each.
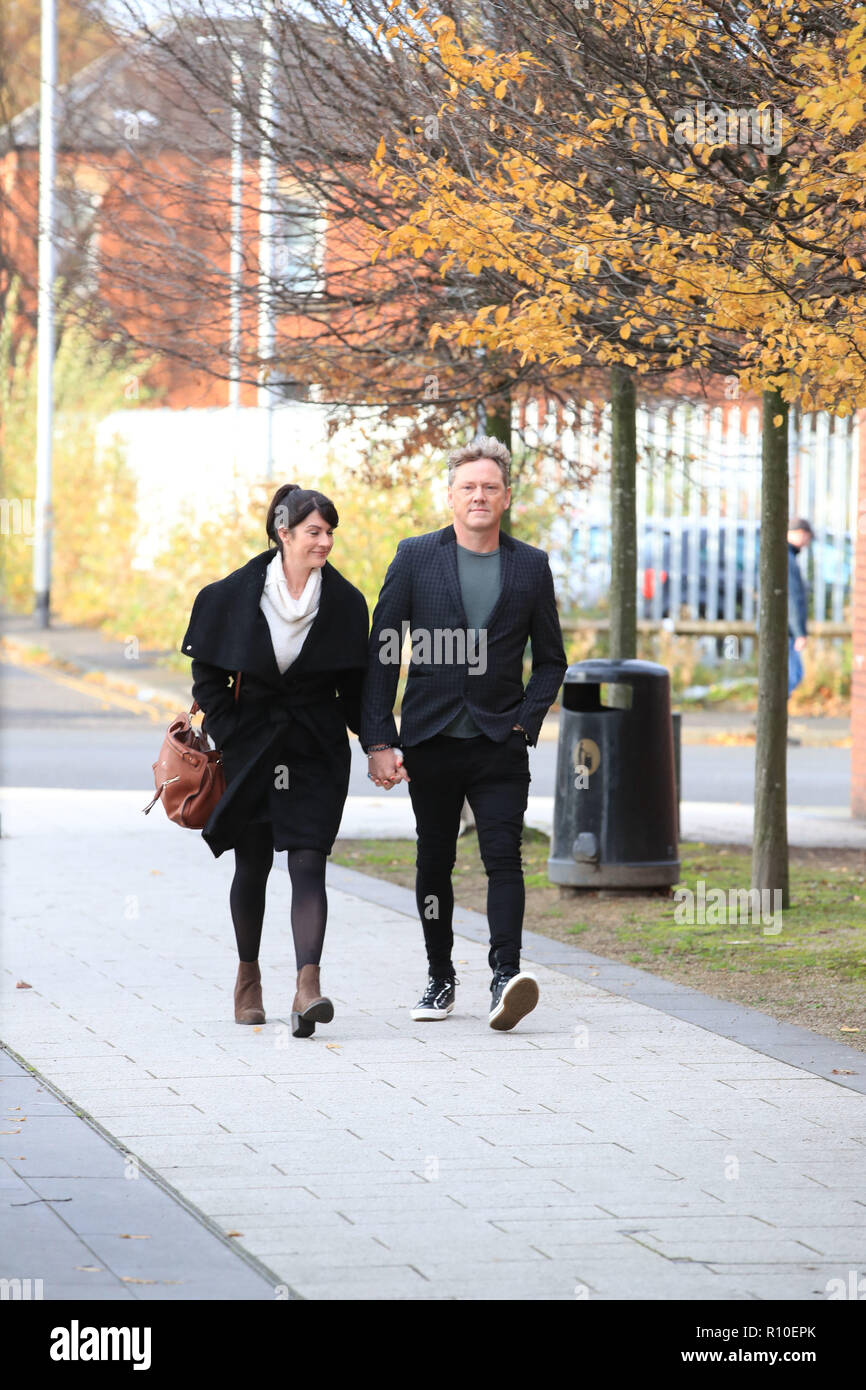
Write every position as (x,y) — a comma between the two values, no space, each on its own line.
(188,774)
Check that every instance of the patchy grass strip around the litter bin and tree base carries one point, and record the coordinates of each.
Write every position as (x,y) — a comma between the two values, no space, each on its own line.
(812,972)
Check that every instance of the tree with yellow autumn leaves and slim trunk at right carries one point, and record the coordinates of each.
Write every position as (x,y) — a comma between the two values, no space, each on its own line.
(669,187)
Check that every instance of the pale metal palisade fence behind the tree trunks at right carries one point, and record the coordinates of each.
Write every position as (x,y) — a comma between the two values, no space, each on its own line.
(698,504)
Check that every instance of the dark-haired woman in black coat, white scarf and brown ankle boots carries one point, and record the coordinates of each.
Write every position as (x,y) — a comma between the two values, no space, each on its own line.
(297,632)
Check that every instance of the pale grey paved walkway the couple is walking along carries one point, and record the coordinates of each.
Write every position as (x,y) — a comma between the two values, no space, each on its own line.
(604,1150)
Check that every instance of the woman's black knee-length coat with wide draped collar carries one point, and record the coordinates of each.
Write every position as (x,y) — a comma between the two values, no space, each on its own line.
(284,729)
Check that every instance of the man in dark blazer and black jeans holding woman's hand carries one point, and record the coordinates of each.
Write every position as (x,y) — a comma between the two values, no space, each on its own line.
(472,597)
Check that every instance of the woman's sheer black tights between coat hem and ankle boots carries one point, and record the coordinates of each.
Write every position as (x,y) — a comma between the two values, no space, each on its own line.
(254,862)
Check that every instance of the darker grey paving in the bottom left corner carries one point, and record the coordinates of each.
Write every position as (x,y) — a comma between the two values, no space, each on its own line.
(87,1221)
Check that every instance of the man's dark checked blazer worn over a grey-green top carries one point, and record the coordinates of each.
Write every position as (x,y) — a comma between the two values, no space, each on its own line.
(423,590)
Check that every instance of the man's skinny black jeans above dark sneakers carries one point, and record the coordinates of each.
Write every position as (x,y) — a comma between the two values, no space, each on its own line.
(496,780)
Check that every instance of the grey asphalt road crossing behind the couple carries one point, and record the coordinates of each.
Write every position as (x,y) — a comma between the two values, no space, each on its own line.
(55,735)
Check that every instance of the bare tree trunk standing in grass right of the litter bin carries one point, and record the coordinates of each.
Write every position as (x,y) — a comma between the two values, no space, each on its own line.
(771,839)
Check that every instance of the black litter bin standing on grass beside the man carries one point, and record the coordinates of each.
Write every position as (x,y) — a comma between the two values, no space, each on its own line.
(615,811)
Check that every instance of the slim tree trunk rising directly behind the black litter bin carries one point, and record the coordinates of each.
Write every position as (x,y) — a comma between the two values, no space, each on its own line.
(623,523)
